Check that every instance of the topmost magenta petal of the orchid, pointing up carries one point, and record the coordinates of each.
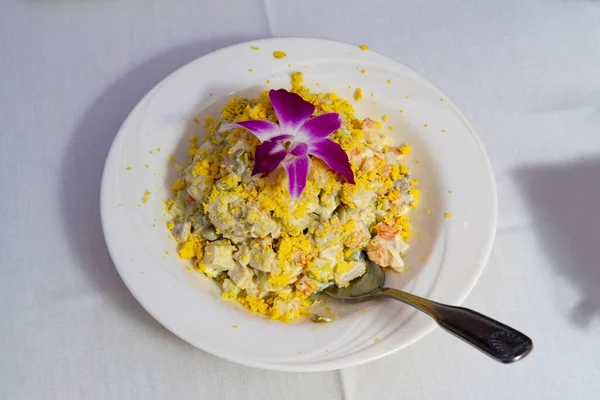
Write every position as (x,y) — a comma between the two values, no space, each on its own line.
(291,109)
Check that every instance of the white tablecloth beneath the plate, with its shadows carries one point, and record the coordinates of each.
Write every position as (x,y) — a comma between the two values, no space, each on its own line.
(524,72)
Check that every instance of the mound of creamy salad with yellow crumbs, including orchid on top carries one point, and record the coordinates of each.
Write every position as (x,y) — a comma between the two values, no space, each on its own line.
(286,194)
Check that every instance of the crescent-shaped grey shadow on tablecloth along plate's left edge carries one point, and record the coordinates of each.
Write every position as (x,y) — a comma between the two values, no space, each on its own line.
(82,167)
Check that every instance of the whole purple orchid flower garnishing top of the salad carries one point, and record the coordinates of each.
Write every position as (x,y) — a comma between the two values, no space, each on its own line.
(296,137)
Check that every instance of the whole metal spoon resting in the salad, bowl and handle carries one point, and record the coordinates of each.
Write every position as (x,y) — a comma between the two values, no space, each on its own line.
(493,338)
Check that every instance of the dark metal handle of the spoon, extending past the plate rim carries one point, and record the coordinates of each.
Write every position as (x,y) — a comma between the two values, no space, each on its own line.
(493,338)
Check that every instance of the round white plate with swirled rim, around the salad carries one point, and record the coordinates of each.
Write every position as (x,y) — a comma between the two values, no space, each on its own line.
(447,254)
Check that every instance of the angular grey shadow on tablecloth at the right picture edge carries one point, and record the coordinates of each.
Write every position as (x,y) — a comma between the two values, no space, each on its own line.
(565,202)
